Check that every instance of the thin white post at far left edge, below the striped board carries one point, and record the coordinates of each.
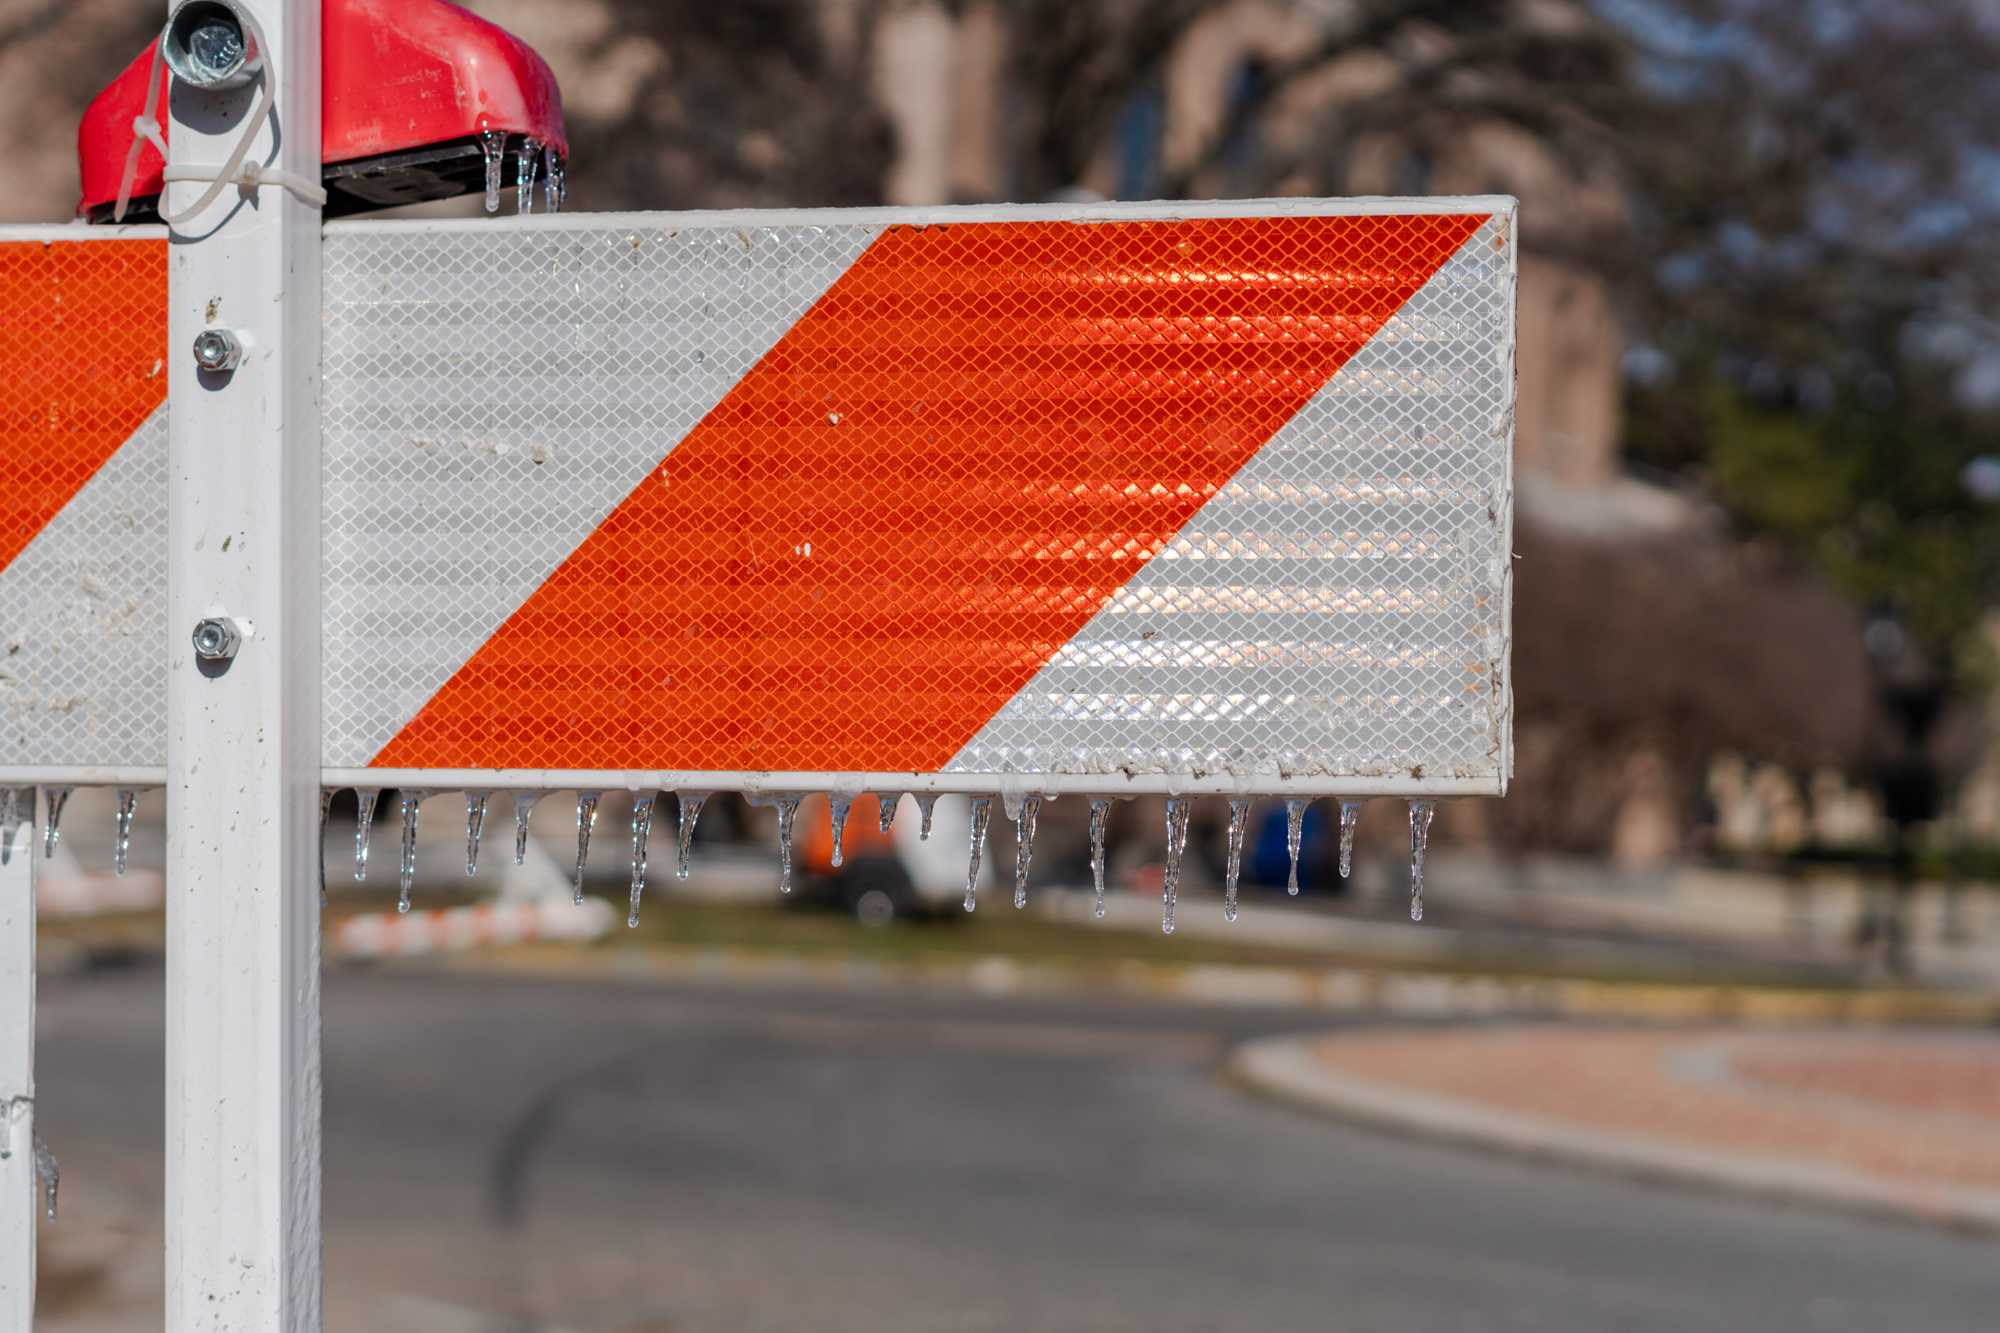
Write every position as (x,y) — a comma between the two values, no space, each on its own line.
(19,1200)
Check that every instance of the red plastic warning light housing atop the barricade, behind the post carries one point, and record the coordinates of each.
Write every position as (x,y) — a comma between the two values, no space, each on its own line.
(409,91)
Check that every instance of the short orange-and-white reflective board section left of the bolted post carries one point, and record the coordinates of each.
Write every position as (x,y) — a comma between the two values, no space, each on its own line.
(83,511)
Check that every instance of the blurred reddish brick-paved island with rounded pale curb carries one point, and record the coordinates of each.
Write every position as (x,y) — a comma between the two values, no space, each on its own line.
(1891,1124)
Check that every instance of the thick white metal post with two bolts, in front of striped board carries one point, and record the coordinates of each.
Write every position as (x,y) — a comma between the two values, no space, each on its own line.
(243,958)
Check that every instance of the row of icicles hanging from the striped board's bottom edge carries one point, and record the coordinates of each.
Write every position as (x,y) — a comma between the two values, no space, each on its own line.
(1023,810)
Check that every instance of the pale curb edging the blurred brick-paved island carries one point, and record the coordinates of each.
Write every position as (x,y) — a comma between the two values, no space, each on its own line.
(1285,1070)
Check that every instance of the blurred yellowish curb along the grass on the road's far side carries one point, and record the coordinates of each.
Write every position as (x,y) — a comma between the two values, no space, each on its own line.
(1325,990)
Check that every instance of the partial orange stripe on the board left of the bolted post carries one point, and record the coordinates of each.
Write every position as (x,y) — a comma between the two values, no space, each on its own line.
(85,353)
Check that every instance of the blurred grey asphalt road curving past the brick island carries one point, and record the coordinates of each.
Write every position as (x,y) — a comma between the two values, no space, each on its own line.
(633,1160)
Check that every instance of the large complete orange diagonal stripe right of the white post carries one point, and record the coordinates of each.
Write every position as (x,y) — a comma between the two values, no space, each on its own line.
(923,491)
